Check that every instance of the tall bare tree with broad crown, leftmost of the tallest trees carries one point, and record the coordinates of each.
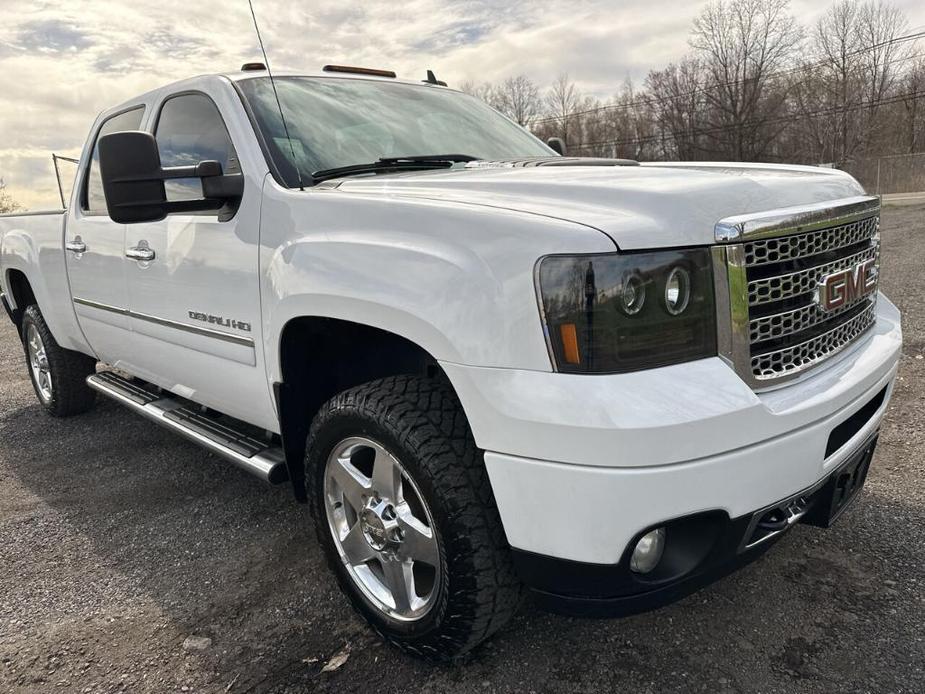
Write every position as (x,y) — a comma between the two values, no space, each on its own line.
(743,43)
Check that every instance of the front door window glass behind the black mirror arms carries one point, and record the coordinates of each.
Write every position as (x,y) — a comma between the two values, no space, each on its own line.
(190,130)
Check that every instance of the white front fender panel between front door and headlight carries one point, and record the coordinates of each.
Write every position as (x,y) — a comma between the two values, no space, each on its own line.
(457,280)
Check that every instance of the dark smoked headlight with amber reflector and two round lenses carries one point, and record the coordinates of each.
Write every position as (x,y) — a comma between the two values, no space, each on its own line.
(628,311)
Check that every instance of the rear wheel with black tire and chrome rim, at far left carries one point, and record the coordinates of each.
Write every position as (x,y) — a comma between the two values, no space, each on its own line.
(58,375)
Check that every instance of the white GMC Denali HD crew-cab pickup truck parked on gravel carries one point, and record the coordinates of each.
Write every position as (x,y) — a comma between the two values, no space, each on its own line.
(486,367)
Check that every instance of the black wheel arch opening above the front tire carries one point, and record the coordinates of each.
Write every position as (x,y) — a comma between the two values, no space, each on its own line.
(320,357)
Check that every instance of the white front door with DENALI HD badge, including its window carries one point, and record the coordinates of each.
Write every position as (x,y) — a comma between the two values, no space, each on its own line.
(193,282)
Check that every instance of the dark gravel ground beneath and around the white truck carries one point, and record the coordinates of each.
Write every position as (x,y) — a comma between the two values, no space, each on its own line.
(121,541)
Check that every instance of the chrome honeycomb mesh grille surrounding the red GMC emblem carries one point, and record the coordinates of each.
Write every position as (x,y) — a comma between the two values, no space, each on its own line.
(772,326)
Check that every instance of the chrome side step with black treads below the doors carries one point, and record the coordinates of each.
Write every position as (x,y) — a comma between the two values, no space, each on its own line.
(257,457)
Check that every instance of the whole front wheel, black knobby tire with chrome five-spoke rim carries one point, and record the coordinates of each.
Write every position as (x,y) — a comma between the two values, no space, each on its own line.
(403,508)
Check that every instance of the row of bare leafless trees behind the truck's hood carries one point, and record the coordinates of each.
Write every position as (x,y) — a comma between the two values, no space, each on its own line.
(755,85)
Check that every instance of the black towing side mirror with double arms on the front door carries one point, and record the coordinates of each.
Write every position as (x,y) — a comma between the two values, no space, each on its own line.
(133,181)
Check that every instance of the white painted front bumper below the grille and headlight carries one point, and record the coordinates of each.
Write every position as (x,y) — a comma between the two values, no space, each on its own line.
(580,465)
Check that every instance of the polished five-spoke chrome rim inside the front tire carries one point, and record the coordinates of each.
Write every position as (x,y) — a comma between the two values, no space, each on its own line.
(382,528)
